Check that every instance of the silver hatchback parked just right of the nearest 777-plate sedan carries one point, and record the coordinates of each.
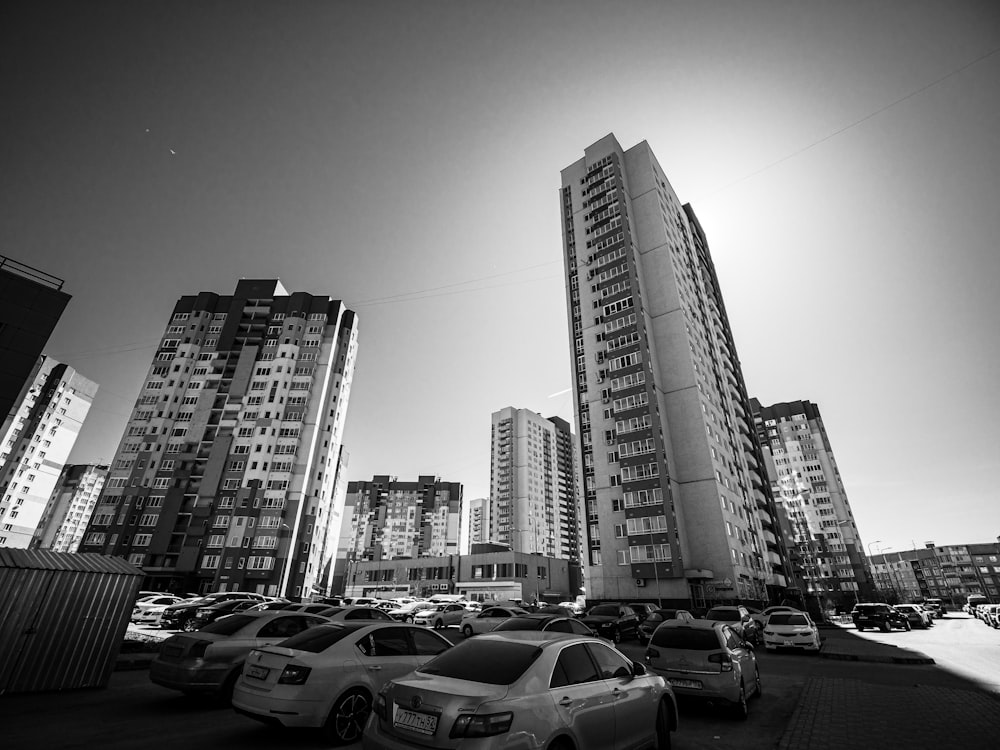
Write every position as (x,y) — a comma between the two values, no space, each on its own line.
(706,659)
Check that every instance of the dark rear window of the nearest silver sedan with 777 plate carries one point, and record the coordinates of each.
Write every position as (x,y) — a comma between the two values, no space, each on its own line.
(490,662)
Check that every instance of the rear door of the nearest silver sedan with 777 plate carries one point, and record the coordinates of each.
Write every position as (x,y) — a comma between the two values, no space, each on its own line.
(582,700)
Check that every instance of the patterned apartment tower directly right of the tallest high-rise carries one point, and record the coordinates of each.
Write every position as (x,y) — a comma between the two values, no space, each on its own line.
(824,545)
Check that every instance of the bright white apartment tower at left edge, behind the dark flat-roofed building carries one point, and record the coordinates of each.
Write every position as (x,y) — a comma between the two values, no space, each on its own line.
(35,444)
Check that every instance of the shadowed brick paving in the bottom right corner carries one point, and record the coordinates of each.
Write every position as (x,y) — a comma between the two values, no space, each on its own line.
(836,713)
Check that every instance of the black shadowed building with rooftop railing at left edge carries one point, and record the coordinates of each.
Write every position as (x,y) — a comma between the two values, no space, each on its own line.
(31,303)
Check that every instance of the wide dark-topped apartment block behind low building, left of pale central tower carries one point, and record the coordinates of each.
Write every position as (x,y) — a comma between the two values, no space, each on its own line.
(386,519)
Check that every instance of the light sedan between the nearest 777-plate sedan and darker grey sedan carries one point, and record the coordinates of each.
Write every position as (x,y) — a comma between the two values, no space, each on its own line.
(327,676)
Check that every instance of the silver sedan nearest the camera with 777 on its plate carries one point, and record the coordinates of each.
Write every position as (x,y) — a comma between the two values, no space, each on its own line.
(559,690)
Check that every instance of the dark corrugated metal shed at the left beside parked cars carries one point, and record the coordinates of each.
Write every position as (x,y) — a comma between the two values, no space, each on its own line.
(63,617)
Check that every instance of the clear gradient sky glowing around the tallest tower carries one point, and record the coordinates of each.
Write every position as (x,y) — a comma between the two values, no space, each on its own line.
(843,158)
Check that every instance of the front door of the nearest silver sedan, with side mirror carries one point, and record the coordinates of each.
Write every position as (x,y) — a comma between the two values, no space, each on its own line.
(635,715)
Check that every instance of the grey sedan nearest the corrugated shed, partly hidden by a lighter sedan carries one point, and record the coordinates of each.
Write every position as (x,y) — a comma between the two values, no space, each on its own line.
(210,660)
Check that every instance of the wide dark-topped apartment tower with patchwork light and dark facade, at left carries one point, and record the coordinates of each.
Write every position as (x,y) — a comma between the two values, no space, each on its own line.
(225,478)
